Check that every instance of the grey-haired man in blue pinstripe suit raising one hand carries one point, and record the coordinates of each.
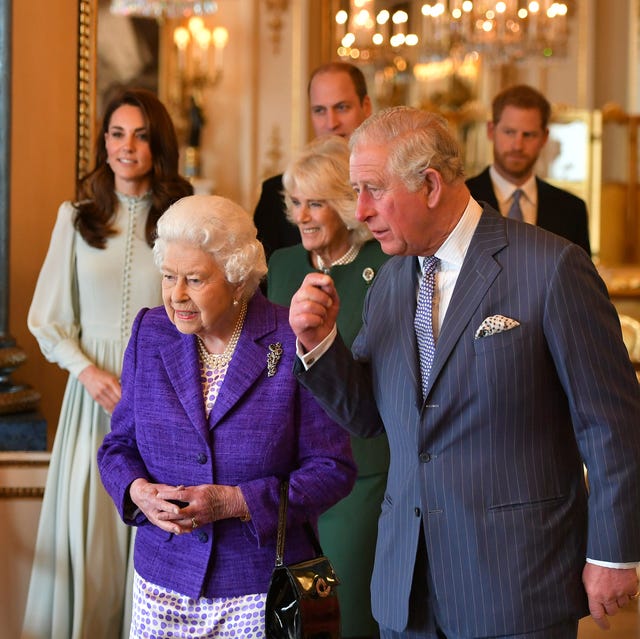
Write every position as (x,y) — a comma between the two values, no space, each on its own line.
(486,529)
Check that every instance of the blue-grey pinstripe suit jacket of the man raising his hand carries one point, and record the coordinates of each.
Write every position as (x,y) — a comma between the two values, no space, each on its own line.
(489,465)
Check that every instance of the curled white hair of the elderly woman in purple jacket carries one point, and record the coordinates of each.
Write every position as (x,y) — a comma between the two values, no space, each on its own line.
(219,227)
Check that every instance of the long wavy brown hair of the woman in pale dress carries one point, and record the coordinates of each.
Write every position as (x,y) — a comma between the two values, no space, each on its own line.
(96,191)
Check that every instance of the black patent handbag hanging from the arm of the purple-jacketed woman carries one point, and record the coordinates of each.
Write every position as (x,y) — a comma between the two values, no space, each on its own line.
(302,602)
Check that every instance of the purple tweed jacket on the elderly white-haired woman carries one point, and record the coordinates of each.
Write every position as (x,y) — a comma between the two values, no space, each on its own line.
(260,430)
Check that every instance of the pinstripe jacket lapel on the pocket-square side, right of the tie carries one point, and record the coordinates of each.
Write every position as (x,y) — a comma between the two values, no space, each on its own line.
(478,272)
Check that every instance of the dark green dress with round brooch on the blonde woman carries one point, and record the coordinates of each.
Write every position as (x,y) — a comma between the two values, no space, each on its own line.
(348,531)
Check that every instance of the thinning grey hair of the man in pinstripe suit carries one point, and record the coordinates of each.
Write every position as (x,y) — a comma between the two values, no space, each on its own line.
(416,140)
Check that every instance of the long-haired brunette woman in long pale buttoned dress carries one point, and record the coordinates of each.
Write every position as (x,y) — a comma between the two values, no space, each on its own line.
(97,274)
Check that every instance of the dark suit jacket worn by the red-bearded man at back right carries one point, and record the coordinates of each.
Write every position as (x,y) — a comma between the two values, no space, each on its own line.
(559,211)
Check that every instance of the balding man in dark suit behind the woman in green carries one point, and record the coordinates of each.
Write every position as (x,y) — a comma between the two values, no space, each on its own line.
(339,103)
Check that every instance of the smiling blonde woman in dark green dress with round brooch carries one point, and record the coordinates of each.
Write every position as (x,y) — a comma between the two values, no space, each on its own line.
(321,202)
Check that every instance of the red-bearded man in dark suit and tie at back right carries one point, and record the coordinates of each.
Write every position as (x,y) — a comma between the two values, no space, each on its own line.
(519,130)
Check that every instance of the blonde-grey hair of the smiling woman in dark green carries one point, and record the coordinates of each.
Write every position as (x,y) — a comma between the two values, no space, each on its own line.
(321,171)
